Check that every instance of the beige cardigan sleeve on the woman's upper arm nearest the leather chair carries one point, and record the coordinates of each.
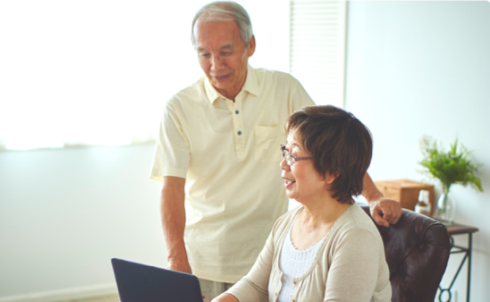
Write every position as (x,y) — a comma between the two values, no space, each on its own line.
(354,267)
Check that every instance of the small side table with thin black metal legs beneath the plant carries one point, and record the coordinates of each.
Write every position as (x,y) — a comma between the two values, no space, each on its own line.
(458,229)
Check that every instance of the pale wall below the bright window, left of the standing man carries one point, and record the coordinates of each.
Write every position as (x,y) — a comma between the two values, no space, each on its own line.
(65,213)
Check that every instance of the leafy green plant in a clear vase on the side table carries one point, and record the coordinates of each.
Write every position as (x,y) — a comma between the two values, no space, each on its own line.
(452,167)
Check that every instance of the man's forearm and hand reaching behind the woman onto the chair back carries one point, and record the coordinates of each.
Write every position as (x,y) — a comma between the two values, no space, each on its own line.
(383,210)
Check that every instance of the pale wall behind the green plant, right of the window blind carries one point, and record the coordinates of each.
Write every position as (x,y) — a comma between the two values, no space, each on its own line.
(419,68)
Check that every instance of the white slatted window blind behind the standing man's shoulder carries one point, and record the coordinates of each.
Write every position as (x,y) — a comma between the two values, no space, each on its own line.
(317,48)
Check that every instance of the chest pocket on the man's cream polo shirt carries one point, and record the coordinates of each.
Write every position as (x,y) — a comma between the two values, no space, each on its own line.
(267,143)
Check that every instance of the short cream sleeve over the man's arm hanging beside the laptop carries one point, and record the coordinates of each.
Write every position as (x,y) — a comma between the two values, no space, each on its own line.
(172,155)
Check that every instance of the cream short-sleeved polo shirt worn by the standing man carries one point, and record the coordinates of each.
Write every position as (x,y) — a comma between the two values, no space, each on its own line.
(229,154)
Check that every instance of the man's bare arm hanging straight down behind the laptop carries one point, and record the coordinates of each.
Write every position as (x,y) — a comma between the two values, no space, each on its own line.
(172,213)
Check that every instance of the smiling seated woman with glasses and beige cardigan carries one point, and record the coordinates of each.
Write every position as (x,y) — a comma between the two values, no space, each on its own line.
(328,249)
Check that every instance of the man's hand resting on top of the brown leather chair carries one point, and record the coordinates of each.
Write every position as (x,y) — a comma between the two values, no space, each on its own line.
(385,211)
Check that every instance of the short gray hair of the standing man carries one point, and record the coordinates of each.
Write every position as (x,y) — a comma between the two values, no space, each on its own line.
(224,11)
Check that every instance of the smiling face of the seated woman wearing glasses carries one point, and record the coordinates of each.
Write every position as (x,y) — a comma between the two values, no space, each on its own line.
(302,181)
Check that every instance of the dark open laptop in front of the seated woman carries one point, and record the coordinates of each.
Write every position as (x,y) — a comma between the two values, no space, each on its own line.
(142,283)
